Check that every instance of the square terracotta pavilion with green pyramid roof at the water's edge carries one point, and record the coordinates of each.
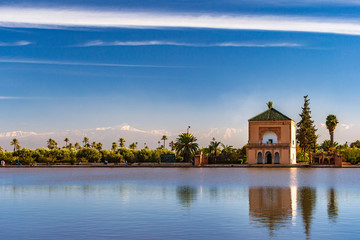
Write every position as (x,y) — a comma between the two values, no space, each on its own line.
(272,138)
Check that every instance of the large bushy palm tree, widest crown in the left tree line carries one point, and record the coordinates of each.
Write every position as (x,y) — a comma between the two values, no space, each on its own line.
(186,146)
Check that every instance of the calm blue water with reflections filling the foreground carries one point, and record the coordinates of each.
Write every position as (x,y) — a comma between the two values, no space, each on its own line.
(179,203)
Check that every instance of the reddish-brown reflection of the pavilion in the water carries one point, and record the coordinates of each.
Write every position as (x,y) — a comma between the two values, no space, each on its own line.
(270,207)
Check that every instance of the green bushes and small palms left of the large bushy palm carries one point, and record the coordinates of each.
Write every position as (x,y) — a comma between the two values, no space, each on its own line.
(85,153)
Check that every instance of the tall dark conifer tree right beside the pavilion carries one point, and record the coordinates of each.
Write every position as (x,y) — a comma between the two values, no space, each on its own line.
(306,131)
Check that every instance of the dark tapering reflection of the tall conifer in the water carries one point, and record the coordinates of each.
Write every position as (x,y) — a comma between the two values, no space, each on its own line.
(307,205)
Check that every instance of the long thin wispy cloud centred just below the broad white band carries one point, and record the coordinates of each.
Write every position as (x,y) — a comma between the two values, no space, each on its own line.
(99,43)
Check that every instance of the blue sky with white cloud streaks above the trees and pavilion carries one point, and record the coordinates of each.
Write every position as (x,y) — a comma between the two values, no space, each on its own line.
(143,69)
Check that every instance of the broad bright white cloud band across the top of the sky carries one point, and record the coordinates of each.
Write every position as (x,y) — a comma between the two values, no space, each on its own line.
(20,17)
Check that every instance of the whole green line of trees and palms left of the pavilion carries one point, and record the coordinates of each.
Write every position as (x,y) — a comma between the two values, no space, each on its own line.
(184,149)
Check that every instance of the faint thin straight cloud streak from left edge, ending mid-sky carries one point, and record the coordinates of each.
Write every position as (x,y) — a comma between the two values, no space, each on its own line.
(49,62)
